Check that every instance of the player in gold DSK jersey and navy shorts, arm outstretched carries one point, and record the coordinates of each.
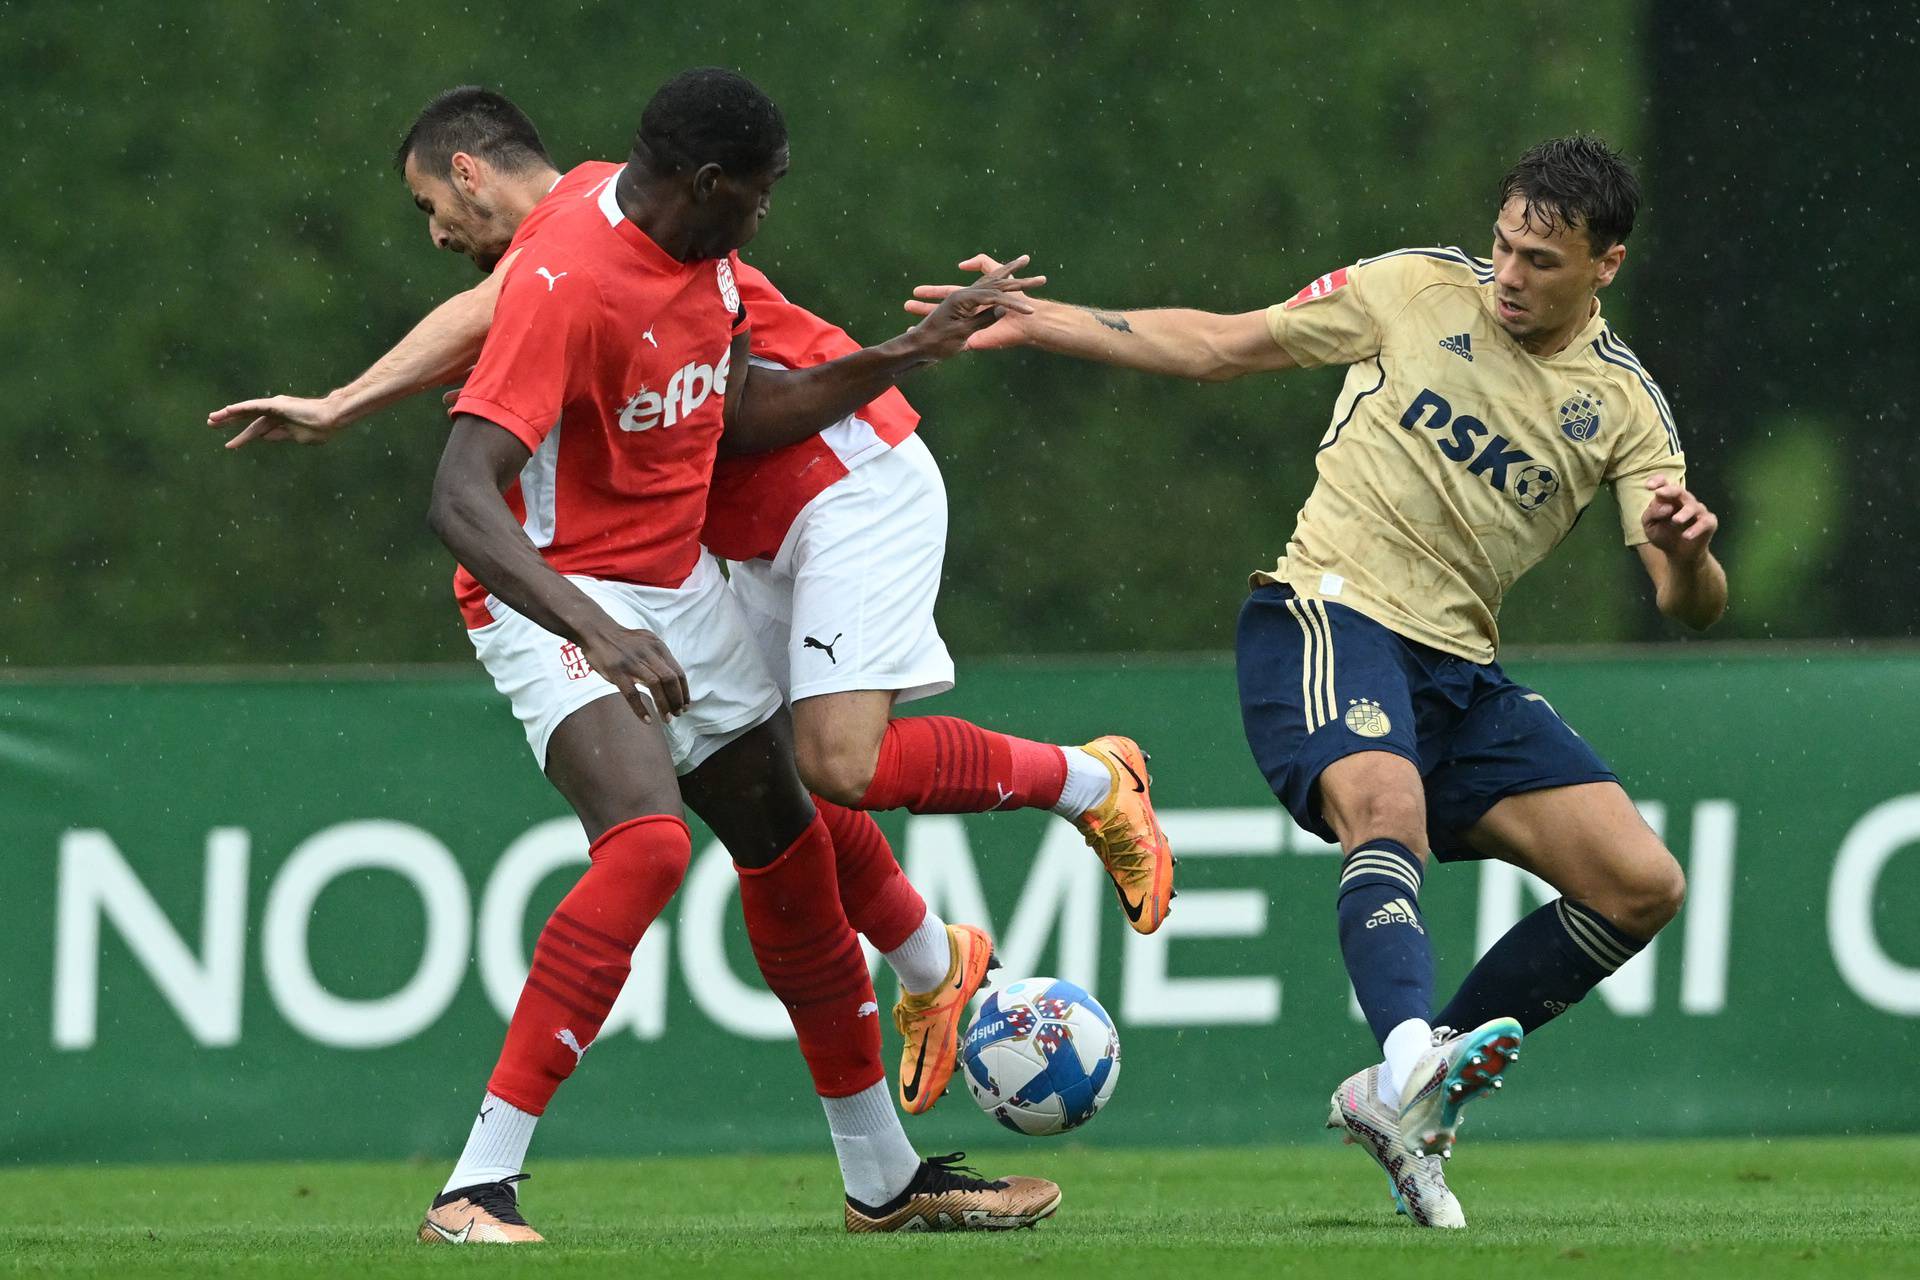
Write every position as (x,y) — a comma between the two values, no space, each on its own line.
(1485,406)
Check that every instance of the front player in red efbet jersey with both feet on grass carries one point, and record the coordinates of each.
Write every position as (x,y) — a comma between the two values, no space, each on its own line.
(573,492)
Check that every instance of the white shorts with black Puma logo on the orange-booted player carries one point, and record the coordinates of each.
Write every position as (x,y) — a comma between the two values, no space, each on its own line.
(848,604)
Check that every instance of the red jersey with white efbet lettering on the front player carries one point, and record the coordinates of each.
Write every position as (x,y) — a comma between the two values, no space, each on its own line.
(610,360)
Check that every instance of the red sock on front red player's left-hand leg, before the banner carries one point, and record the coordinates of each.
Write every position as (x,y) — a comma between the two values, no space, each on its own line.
(585,955)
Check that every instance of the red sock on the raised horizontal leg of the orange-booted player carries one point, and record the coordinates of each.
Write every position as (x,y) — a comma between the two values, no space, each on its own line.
(938,765)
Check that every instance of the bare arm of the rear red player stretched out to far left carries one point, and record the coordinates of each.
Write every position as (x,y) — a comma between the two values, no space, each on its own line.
(439,350)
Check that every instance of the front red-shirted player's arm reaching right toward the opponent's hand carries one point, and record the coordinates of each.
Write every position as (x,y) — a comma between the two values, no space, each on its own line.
(777,408)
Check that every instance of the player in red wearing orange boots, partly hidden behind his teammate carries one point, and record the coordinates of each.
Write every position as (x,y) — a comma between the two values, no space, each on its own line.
(836,544)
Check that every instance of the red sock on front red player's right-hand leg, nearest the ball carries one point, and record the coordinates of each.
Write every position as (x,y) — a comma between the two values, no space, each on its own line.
(811,959)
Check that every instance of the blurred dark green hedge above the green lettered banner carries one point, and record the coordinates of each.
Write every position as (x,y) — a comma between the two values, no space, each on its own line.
(203,208)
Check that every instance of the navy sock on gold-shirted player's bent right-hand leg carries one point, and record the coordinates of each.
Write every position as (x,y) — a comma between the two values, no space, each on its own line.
(1541,968)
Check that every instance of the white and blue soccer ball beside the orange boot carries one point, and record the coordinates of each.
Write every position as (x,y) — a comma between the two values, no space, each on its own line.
(1042,1056)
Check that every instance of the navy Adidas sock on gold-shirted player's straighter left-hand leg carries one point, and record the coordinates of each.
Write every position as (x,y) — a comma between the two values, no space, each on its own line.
(1383,937)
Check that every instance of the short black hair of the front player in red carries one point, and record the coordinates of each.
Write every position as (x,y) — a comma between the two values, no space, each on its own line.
(709,116)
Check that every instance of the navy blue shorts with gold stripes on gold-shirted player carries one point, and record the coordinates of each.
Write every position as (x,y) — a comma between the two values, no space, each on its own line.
(1322,682)
